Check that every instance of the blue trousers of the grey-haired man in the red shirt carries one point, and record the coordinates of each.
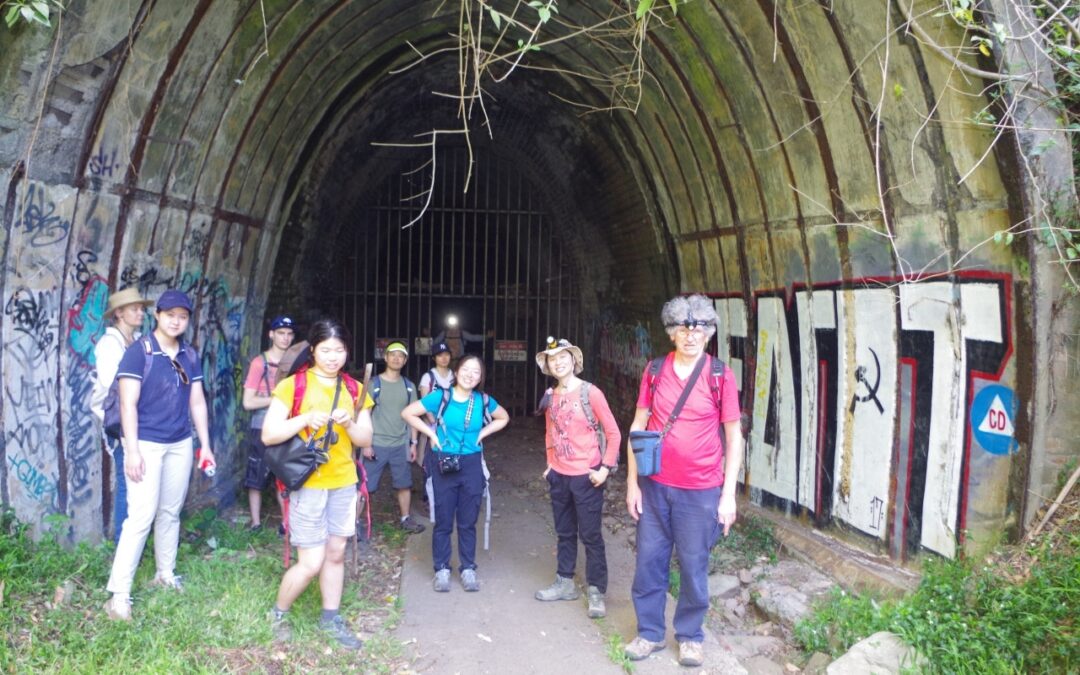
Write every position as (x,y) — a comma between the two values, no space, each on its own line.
(687,521)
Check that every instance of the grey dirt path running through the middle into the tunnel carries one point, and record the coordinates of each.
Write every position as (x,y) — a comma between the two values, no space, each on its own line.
(504,629)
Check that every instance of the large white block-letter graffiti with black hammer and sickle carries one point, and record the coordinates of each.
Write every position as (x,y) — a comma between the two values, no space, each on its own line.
(859,397)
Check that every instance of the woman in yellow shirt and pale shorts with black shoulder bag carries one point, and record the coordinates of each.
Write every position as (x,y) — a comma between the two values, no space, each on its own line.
(322,514)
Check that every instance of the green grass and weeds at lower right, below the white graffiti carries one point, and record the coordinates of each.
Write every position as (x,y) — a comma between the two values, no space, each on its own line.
(970,620)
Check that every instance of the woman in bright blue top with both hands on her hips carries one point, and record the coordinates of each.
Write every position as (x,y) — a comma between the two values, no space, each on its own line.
(458,479)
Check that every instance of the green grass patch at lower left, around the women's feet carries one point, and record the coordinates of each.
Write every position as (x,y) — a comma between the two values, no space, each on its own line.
(219,624)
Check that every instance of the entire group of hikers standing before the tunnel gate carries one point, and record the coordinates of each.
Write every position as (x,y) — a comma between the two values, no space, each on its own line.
(683,460)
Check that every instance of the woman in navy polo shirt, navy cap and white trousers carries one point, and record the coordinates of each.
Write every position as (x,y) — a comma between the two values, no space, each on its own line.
(156,414)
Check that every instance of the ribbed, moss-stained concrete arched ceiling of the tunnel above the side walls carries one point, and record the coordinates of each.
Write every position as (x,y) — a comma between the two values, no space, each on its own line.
(754,119)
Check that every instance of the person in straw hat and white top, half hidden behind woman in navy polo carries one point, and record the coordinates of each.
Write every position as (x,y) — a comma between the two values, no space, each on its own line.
(128,310)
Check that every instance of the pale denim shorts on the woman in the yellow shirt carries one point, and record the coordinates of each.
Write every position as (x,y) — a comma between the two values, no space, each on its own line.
(315,514)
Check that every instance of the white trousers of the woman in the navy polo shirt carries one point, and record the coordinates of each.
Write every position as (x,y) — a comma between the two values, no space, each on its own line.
(155,501)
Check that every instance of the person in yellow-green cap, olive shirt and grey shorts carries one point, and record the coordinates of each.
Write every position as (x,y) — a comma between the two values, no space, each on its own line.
(394,442)
